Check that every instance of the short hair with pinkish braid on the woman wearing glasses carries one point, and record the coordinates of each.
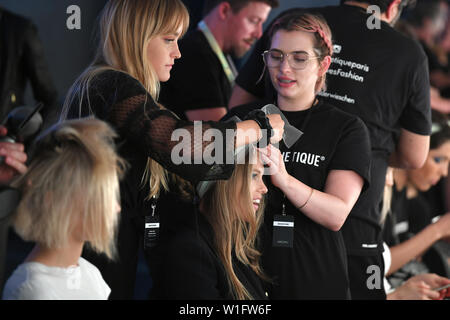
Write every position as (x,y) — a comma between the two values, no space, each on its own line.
(312,23)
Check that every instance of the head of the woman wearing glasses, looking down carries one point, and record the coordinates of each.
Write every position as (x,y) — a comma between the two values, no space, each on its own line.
(299,55)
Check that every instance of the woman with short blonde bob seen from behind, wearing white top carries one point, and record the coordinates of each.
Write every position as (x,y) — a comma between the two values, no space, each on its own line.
(70,196)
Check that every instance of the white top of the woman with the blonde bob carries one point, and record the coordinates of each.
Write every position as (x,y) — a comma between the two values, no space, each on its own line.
(36,281)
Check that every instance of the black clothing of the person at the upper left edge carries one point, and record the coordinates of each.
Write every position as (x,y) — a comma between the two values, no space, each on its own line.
(22,60)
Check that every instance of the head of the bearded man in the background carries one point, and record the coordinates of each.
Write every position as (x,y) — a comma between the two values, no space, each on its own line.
(243,20)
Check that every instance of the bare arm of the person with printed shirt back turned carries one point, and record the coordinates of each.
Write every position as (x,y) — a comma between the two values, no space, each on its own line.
(411,152)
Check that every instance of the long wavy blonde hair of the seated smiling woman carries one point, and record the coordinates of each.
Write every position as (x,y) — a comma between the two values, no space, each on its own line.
(235,229)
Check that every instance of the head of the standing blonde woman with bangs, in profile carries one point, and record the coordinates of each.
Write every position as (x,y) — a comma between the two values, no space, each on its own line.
(140,38)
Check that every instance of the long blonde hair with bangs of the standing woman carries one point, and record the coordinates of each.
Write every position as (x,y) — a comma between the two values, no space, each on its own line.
(126,27)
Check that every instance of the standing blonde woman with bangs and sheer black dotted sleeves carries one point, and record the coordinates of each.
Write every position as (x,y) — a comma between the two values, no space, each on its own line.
(138,47)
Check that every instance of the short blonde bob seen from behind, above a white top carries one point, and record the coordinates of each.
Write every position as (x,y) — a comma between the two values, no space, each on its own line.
(72,178)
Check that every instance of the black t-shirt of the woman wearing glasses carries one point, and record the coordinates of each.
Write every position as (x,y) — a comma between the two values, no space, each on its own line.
(315,268)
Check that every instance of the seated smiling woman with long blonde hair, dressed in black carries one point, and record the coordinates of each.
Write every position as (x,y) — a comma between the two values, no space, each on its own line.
(215,256)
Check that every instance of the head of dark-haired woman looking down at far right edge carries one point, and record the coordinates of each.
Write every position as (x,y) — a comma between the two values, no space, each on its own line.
(436,165)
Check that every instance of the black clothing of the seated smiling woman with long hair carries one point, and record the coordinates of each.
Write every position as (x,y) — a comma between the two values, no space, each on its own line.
(190,269)
